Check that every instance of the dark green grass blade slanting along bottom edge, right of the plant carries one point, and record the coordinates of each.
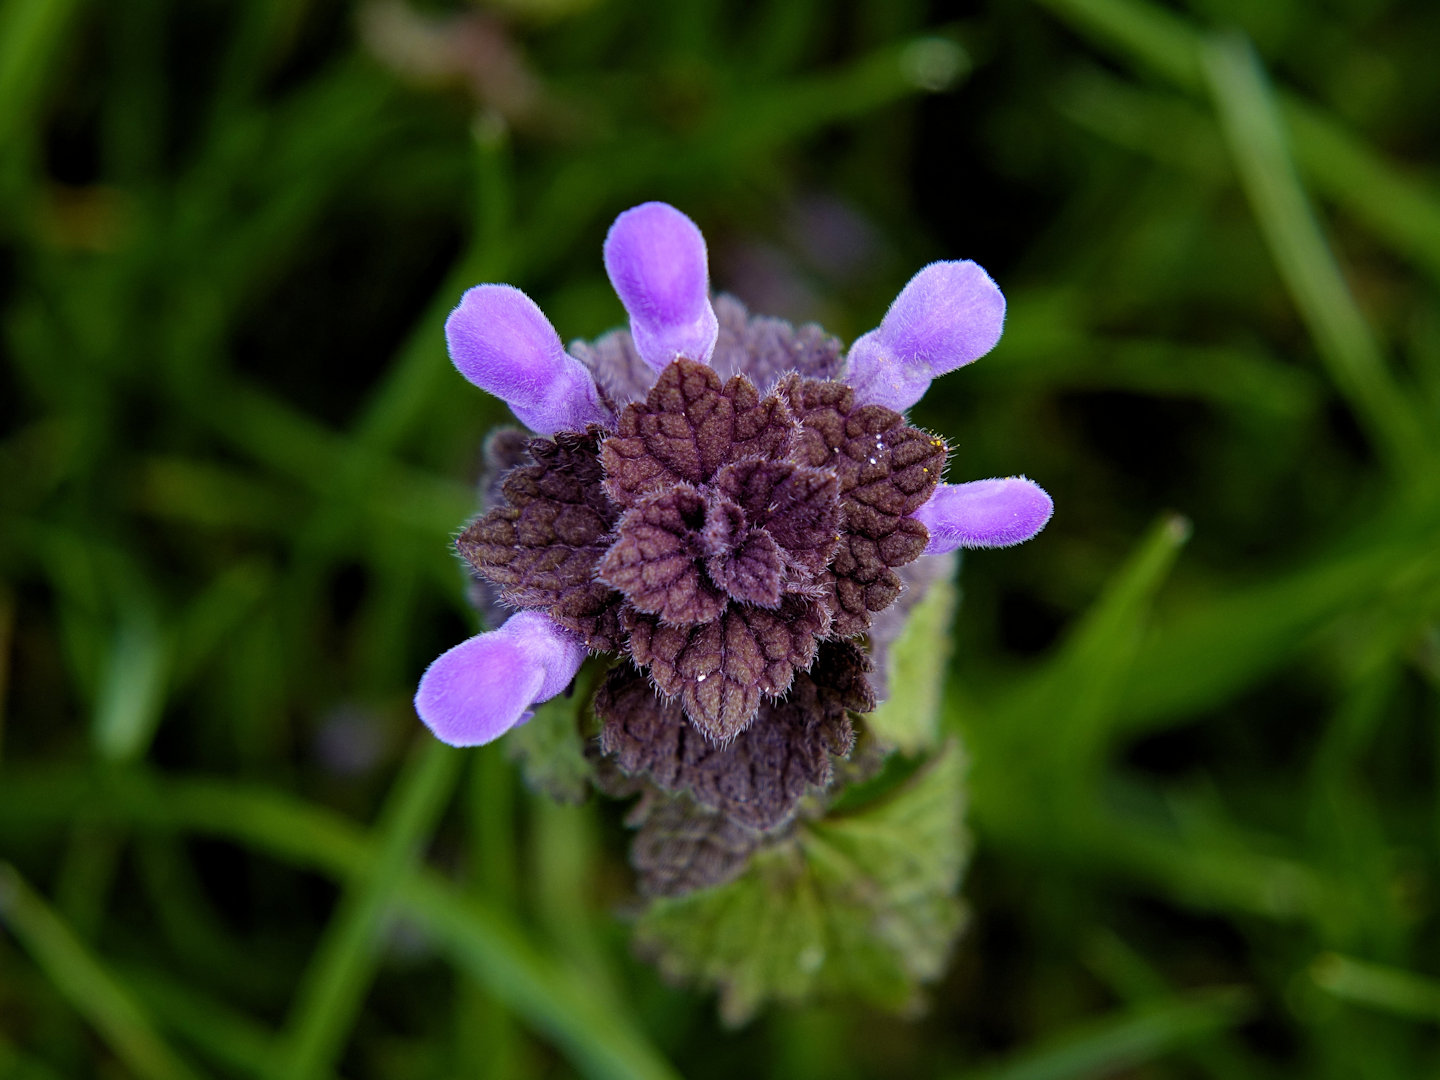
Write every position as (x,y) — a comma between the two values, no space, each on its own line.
(1131,1039)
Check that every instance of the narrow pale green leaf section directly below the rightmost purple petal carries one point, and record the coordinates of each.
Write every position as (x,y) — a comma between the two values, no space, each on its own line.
(917,665)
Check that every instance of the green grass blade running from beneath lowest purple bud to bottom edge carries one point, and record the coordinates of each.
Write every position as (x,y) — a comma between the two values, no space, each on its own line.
(343,967)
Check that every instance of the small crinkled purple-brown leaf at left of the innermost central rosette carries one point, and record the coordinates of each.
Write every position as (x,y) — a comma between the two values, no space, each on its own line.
(656,559)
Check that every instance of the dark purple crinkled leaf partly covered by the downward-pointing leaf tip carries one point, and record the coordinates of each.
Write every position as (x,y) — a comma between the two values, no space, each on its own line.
(758,778)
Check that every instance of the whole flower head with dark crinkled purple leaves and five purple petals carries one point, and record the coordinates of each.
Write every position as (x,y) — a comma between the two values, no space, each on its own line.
(721,502)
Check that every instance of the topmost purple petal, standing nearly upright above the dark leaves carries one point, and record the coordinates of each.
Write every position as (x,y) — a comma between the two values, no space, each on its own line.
(656,258)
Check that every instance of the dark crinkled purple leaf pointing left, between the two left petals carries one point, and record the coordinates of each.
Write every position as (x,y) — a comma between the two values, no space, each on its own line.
(542,545)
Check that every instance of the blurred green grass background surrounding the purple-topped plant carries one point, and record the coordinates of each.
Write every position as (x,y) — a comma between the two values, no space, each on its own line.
(1202,708)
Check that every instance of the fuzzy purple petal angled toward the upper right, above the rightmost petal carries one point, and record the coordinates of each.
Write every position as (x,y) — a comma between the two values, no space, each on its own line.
(948,316)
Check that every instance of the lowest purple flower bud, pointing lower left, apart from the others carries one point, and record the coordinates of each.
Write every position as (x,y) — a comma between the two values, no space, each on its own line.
(483,688)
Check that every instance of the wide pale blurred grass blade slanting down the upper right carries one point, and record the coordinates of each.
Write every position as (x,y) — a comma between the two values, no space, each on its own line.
(1252,126)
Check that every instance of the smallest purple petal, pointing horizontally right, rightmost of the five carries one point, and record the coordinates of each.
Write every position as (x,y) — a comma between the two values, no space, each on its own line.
(984,513)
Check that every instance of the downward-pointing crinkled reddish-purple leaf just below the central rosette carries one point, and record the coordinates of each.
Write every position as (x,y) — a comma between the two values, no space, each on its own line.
(721,670)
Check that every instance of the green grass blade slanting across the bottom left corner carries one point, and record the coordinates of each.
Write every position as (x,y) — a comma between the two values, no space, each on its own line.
(86,983)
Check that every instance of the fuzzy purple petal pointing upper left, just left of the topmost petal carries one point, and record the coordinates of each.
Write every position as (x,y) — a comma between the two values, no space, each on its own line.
(503,343)
